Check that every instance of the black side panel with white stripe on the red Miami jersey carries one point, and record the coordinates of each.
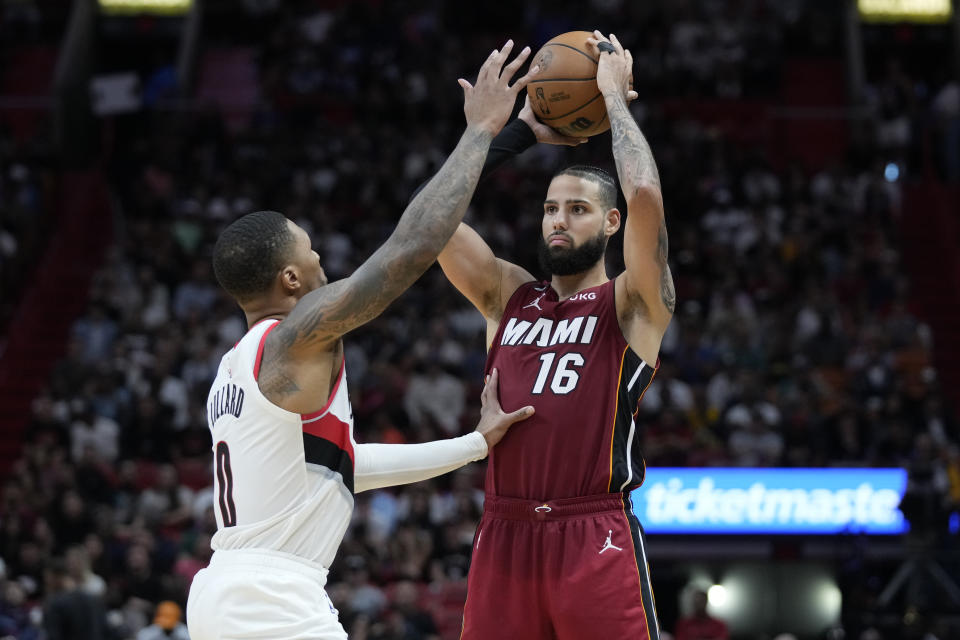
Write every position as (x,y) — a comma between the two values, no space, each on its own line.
(627,466)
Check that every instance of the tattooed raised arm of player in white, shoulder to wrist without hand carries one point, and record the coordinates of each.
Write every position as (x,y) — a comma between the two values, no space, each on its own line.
(424,229)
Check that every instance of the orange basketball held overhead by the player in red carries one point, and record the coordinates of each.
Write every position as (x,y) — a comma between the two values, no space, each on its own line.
(564,93)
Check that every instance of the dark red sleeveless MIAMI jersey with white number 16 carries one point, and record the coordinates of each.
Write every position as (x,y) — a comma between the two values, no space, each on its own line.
(571,361)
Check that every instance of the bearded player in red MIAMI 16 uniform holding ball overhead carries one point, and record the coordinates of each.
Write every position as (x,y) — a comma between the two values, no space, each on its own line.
(559,552)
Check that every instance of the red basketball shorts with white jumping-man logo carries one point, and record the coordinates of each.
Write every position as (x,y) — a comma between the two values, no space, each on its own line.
(567,569)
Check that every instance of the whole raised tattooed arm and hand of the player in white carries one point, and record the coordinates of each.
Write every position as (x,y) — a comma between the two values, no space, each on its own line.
(327,313)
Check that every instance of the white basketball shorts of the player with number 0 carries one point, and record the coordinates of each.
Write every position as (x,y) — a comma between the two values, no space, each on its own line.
(261,594)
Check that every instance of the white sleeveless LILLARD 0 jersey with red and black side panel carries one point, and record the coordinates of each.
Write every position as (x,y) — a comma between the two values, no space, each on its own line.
(282,481)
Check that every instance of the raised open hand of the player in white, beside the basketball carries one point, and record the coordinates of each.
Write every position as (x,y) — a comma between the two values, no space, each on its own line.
(488,103)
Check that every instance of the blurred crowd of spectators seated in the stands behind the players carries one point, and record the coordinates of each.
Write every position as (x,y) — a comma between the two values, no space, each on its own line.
(793,343)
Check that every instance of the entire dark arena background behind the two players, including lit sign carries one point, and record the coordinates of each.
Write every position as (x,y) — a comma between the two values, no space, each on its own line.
(810,158)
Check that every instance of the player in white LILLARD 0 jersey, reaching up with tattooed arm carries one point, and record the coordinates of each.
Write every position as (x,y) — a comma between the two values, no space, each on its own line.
(286,465)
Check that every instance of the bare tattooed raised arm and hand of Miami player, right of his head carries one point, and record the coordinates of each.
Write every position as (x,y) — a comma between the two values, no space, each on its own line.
(648,284)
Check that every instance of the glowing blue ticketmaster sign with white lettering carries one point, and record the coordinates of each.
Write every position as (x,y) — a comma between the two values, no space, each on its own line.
(764,501)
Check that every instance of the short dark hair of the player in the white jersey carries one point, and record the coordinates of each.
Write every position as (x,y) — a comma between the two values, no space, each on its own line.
(250,252)
